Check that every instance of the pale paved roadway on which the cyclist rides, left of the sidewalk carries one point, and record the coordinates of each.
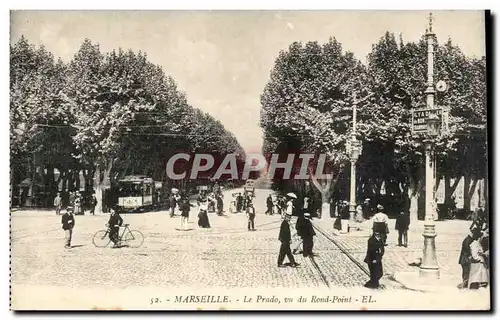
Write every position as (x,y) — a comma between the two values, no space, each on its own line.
(227,255)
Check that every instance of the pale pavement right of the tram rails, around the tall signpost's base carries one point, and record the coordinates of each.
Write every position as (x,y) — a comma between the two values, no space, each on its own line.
(402,263)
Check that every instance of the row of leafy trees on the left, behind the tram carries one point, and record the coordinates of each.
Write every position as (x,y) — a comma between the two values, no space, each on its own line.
(104,114)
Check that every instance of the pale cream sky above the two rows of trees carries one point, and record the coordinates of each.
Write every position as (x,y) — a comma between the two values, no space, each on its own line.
(222,59)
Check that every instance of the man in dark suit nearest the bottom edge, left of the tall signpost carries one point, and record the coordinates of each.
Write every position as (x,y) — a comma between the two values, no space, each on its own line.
(373,258)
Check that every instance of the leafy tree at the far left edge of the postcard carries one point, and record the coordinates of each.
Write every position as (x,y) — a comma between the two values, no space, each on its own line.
(36,87)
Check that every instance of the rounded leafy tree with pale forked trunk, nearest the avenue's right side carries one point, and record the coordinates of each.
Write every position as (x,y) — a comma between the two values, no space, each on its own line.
(306,105)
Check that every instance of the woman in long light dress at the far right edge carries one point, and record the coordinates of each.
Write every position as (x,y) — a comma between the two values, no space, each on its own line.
(478,273)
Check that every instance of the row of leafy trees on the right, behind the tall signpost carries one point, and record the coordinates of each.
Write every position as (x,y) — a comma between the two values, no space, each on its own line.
(307,106)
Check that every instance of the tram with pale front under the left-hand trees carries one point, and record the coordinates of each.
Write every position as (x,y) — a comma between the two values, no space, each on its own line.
(135,193)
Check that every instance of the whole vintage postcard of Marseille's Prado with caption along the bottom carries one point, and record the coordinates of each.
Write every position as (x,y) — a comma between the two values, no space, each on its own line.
(249,160)
